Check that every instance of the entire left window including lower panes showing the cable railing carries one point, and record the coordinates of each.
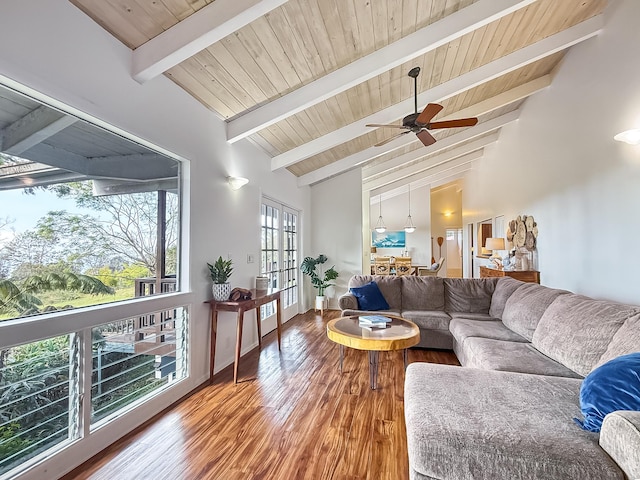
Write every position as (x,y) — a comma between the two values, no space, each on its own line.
(88,218)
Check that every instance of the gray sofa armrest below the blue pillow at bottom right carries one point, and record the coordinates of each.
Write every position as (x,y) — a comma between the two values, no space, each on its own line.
(620,438)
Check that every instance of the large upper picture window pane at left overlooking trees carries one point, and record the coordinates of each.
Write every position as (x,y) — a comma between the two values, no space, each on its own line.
(93,217)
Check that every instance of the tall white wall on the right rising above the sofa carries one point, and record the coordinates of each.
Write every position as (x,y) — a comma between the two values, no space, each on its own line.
(559,163)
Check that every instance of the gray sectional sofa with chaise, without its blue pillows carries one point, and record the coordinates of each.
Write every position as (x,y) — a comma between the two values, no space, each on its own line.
(508,412)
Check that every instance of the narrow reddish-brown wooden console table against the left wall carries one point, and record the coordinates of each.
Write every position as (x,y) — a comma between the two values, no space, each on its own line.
(259,298)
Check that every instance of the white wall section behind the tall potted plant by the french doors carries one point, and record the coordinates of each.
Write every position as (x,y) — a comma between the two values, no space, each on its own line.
(336,229)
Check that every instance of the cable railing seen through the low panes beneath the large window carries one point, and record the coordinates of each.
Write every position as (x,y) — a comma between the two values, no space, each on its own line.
(41,401)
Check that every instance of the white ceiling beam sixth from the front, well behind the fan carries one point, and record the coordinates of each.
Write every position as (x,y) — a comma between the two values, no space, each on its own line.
(428,163)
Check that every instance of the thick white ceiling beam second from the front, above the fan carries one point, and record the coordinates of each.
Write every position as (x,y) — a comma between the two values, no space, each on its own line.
(412,46)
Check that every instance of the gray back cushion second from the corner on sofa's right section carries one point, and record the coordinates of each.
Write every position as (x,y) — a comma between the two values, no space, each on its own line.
(526,305)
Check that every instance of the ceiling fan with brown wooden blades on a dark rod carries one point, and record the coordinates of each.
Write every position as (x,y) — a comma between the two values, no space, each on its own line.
(420,123)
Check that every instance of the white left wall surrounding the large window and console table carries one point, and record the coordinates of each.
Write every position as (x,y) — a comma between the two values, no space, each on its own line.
(52,47)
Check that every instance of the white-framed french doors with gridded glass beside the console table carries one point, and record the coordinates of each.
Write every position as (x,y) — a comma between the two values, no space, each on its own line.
(279,256)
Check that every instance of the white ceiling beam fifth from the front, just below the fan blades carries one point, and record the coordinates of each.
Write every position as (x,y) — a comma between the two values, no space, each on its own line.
(369,173)
